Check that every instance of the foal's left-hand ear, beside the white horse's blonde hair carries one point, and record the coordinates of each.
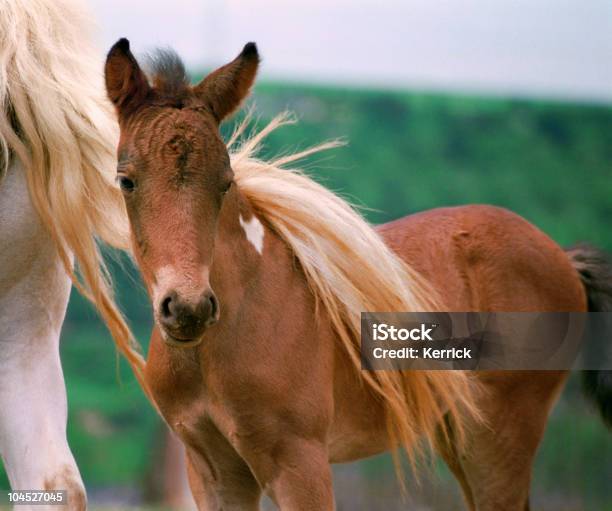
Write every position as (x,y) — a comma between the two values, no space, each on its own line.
(126,84)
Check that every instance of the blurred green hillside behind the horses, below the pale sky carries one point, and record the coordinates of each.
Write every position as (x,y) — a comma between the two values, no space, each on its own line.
(550,162)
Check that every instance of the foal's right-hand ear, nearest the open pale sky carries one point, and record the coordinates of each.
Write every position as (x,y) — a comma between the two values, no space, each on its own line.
(225,88)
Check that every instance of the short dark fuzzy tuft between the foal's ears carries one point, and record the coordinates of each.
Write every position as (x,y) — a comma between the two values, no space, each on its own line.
(167,72)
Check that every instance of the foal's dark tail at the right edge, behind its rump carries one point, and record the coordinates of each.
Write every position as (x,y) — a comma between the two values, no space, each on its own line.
(595,271)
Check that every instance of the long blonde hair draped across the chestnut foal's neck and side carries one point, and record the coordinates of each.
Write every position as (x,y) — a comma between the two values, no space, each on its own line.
(350,269)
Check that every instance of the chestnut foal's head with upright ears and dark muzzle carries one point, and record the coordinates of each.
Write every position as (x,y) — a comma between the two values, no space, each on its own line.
(174,171)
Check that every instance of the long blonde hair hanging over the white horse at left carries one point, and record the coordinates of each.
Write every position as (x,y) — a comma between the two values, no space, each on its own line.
(55,118)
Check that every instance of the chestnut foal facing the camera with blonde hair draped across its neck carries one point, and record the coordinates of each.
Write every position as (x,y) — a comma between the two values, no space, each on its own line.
(257,277)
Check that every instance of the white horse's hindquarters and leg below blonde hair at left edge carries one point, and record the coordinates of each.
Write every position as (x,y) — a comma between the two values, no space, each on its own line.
(34,291)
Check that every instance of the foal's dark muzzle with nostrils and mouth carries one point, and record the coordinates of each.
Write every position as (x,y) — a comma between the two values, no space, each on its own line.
(184,322)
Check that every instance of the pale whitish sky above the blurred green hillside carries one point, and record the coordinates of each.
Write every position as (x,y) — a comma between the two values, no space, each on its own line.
(542,48)
